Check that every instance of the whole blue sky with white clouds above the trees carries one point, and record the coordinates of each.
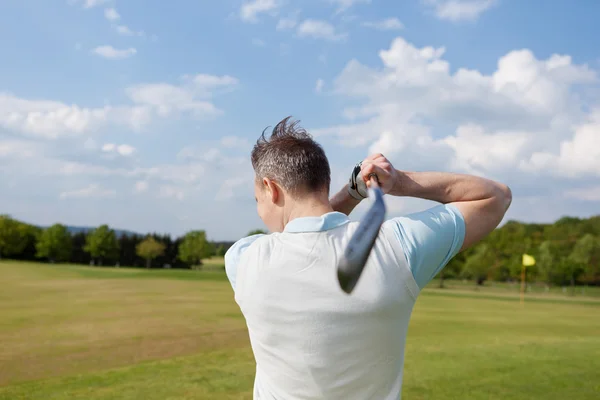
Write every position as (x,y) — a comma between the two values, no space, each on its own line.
(141,114)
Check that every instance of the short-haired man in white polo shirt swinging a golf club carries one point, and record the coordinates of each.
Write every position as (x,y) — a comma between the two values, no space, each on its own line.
(310,339)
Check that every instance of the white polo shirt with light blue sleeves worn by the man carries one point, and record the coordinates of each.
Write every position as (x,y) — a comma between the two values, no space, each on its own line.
(310,339)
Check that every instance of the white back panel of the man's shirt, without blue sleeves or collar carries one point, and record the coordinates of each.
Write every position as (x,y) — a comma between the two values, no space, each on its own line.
(311,340)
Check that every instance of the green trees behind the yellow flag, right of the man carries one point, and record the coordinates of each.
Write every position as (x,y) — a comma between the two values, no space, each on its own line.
(567,253)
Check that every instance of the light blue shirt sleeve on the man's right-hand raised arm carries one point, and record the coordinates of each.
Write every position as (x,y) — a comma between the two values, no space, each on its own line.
(429,239)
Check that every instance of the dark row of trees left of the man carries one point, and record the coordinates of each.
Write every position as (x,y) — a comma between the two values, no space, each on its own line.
(103,246)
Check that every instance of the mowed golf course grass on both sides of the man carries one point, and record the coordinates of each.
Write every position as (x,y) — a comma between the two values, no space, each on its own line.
(69,332)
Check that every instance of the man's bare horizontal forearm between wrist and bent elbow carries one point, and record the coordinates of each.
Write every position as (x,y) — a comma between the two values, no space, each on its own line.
(447,187)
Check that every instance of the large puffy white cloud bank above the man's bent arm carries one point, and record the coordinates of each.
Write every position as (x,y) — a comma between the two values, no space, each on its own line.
(524,120)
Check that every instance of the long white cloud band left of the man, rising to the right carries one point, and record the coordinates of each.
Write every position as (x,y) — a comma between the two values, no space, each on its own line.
(54,119)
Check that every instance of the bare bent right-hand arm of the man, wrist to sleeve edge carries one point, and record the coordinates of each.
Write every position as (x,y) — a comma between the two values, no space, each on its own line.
(482,202)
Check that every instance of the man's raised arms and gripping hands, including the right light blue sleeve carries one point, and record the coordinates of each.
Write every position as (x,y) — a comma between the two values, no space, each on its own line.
(472,207)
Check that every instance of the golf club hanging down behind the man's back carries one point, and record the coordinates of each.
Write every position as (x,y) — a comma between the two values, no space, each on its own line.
(359,247)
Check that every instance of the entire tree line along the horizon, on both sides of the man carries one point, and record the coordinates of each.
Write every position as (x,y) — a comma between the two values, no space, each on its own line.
(567,252)
